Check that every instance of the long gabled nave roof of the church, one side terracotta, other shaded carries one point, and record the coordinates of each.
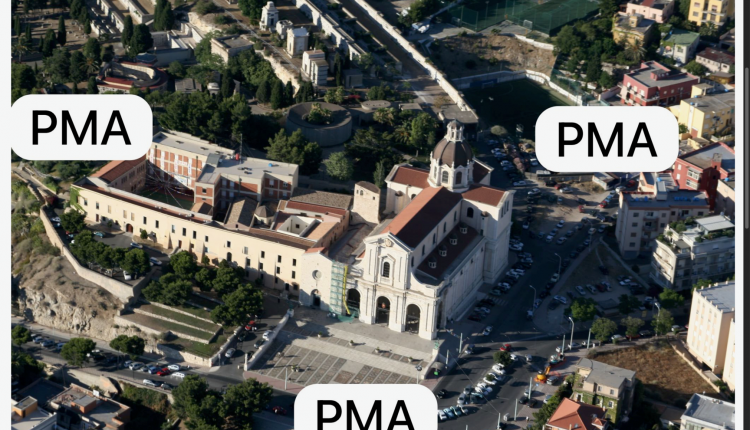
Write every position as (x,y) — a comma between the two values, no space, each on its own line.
(422,215)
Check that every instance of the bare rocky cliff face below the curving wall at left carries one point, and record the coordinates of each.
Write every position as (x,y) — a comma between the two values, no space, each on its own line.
(50,293)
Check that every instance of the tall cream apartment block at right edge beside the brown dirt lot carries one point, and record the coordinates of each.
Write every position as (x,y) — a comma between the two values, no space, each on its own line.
(711,316)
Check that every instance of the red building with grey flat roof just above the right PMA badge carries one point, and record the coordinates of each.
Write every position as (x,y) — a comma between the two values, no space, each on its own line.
(655,85)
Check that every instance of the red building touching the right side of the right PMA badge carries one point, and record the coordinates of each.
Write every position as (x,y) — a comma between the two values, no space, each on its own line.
(704,168)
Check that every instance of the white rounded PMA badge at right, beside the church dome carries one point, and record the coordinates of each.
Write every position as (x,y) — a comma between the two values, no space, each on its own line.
(575,139)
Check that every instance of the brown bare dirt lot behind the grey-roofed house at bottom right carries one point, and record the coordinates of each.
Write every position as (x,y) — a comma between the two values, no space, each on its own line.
(665,375)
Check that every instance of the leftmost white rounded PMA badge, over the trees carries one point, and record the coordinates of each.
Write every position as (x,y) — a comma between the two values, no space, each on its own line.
(81,127)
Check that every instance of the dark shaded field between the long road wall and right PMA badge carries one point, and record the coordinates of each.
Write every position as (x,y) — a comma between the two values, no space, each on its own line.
(516,102)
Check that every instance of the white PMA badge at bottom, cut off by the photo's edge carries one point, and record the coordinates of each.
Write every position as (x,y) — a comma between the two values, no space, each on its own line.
(365,407)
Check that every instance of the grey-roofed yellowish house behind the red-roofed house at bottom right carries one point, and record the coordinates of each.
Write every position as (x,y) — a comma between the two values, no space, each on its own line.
(609,387)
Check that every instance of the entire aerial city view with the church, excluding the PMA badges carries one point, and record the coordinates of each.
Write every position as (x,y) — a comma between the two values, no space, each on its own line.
(348,192)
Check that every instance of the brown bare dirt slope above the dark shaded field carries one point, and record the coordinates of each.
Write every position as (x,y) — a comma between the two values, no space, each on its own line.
(477,53)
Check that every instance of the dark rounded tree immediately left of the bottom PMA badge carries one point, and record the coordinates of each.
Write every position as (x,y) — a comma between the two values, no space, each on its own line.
(242,401)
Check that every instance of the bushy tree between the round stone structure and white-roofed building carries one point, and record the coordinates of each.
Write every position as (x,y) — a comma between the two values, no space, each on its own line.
(295,149)
